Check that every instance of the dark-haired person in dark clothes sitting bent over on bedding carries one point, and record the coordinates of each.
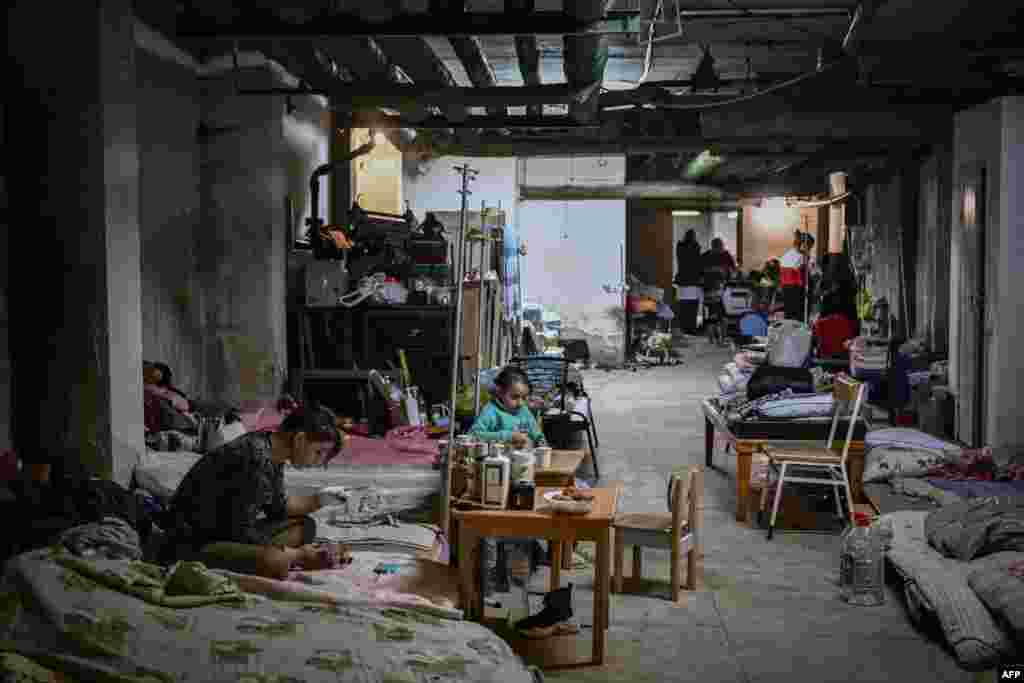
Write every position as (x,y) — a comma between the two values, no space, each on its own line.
(231,511)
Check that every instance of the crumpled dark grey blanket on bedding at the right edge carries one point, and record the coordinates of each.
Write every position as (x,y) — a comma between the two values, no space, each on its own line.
(977,527)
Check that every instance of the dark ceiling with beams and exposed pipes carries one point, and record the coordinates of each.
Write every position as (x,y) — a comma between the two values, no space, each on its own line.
(908,66)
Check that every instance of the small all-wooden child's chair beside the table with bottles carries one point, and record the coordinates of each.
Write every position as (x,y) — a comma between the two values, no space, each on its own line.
(678,531)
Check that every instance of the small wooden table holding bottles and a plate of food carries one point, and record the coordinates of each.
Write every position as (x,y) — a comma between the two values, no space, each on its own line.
(558,529)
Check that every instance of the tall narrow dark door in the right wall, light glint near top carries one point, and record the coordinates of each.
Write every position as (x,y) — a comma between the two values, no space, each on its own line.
(971,397)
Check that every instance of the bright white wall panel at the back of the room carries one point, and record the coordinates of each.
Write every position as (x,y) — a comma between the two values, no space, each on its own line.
(570,272)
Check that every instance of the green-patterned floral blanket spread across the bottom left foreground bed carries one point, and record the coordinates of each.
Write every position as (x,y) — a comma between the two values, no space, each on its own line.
(68,622)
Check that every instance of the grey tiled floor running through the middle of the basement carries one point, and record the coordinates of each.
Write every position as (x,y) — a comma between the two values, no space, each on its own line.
(769,611)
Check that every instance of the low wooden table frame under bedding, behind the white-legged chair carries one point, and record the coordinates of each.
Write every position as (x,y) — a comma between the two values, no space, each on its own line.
(746,448)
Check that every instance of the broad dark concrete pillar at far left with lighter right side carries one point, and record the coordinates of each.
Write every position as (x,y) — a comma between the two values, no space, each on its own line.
(75,316)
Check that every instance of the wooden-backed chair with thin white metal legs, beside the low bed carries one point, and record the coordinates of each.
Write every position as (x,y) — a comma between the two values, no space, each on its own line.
(820,466)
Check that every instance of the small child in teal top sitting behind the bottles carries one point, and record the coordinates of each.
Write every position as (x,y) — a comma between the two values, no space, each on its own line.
(507,418)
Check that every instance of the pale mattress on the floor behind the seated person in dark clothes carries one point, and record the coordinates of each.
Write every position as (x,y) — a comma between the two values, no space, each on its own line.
(401,487)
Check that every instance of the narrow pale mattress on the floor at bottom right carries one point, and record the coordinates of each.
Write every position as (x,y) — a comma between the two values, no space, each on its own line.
(937,586)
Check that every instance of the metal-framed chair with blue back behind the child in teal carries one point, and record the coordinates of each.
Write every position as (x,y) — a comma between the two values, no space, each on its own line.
(551,373)
